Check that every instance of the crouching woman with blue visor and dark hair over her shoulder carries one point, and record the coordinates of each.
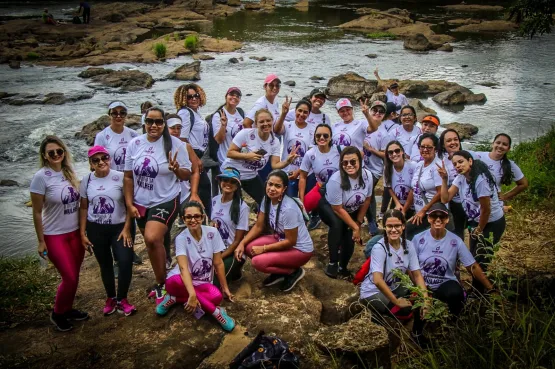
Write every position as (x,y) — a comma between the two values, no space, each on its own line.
(230,215)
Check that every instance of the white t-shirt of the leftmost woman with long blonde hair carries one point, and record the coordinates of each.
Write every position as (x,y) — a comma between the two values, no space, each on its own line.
(60,213)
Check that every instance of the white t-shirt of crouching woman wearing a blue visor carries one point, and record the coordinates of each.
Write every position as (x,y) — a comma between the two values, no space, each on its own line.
(221,215)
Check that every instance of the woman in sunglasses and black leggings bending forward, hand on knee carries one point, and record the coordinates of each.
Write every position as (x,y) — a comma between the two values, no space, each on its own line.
(347,198)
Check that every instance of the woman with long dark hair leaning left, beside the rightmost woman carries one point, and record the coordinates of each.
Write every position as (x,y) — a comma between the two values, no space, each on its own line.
(480,200)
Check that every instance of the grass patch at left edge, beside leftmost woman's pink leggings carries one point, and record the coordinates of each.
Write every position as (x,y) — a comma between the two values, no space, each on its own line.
(26,290)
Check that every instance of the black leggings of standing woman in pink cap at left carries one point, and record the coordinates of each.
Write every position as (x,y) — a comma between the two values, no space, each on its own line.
(104,239)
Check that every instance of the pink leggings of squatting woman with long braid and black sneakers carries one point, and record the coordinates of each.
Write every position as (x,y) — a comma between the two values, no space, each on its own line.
(276,262)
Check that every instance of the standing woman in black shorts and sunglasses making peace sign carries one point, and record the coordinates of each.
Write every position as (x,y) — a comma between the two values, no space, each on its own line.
(154,165)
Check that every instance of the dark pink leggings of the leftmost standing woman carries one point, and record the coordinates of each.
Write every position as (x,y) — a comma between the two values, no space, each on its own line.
(66,253)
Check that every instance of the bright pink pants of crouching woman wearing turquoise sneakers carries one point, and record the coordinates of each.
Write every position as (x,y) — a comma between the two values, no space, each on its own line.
(208,295)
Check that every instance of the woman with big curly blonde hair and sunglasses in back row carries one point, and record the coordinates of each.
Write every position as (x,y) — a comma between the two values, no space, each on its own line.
(188,100)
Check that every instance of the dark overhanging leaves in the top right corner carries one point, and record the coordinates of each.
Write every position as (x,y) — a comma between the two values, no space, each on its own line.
(534,16)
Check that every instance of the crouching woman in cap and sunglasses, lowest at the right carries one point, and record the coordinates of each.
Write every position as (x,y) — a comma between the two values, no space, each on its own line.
(438,254)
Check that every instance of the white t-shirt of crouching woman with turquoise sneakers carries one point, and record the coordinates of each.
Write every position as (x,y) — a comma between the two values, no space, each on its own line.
(199,255)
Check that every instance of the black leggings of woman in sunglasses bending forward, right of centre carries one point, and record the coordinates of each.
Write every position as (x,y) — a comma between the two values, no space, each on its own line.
(339,234)
